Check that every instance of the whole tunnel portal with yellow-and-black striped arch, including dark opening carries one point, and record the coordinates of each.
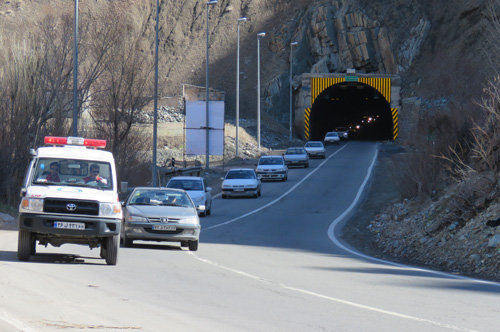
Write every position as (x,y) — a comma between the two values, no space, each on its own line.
(360,104)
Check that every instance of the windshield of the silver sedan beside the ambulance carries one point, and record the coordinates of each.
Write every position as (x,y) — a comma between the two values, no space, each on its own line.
(155,196)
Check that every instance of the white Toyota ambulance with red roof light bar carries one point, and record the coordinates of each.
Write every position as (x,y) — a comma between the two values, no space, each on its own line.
(70,195)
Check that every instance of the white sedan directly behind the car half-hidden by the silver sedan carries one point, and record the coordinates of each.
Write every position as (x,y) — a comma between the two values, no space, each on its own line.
(241,182)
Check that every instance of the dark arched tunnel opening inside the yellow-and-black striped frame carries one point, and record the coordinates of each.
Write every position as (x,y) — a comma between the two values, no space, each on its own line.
(356,106)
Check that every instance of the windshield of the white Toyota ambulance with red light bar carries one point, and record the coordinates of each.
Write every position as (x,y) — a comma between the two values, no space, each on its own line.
(73,172)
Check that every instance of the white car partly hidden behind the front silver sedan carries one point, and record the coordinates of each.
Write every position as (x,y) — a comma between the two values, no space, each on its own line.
(198,191)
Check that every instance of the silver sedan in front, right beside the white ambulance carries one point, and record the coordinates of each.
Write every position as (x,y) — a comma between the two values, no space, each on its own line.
(160,214)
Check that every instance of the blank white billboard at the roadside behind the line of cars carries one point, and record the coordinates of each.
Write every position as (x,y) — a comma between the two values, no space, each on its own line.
(196,127)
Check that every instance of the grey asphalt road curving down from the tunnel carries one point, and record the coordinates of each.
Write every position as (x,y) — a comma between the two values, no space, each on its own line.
(269,264)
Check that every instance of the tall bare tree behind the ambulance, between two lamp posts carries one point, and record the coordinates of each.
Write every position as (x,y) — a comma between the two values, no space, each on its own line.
(124,86)
